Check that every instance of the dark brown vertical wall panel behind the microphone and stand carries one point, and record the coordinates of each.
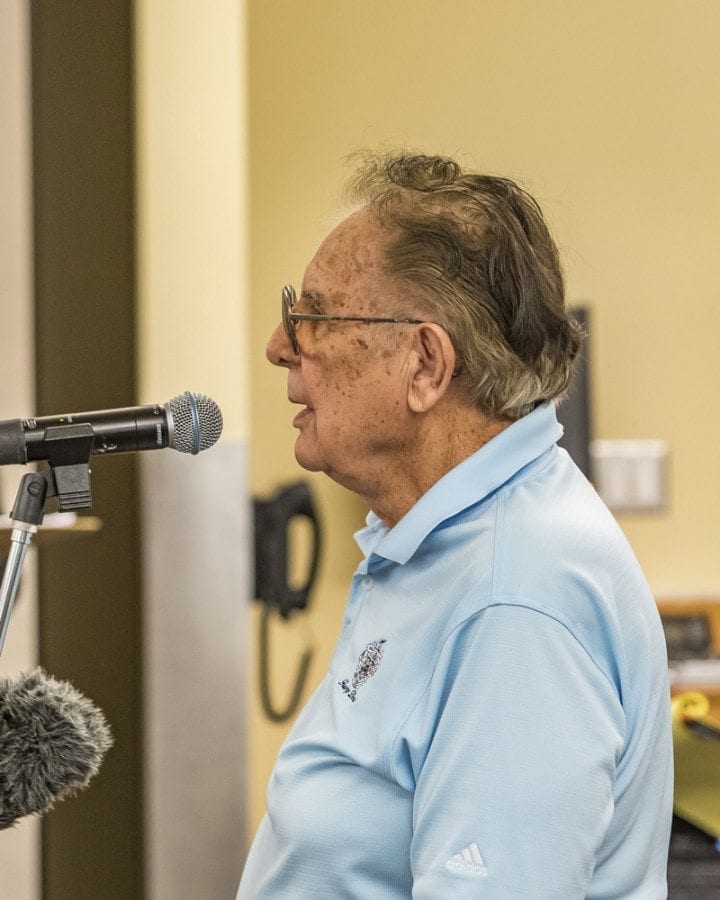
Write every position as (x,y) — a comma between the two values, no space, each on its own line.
(90,597)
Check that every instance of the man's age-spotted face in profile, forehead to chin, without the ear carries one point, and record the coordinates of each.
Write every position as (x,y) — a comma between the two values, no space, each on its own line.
(348,375)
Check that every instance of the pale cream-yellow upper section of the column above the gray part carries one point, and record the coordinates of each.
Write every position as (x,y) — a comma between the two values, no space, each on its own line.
(191,166)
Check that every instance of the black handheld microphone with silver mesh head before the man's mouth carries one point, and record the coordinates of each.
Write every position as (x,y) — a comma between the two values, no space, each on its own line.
(188,423)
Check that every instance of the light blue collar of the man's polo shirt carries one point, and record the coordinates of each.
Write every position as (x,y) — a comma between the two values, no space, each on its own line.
(471,481)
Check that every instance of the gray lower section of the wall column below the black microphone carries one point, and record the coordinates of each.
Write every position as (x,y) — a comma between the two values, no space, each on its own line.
(196,528)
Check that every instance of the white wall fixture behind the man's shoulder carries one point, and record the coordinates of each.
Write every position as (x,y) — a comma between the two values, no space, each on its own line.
(631,475)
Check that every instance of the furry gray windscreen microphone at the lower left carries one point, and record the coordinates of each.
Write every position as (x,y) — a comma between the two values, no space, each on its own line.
(52,741)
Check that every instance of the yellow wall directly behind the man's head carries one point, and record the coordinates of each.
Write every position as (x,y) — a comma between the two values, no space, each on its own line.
(607,112)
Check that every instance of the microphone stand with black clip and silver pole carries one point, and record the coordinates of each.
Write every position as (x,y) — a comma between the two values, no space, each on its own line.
(68,479)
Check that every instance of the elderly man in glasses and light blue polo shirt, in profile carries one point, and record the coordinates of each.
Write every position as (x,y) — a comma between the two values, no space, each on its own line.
(495,721)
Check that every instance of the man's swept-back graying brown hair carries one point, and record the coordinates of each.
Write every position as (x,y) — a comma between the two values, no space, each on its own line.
(478,249)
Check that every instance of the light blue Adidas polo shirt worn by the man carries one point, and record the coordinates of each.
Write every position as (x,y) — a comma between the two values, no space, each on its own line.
(495,722)
